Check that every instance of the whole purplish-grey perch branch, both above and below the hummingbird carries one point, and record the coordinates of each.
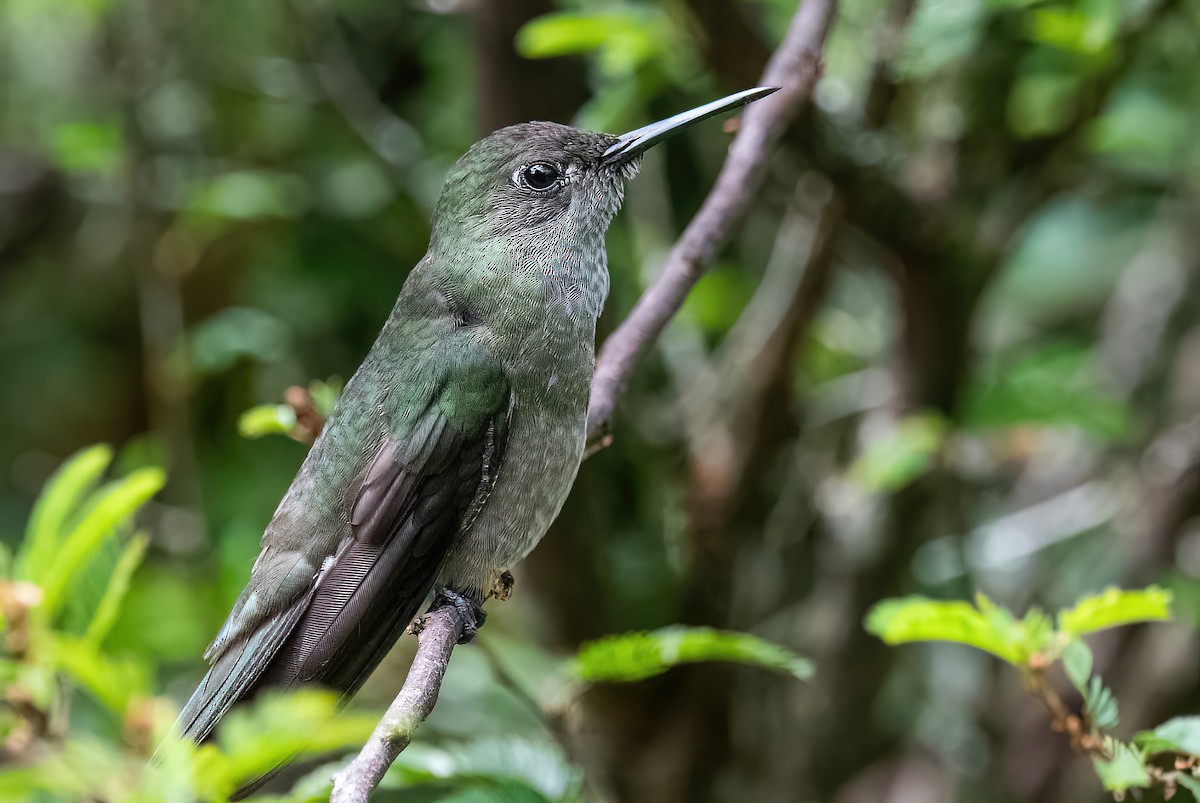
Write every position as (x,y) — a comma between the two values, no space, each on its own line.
(795,69)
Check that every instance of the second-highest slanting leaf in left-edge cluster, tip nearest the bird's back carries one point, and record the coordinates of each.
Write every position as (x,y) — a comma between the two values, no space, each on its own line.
(109,510)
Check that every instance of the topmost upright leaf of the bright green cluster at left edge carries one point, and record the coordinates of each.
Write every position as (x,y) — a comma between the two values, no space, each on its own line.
(63,495)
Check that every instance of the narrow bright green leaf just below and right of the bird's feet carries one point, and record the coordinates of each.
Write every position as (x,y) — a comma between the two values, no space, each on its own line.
(638,656)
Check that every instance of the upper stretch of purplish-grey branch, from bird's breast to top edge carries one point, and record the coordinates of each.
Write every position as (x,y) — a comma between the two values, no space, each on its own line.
(795,69)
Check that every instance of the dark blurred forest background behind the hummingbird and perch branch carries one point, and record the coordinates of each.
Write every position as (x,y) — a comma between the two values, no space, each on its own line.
(956,347)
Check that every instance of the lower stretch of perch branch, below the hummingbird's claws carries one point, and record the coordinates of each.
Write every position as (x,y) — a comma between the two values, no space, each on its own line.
(412,706)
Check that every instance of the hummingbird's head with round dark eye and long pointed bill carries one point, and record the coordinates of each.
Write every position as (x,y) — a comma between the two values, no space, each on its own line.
(553,181)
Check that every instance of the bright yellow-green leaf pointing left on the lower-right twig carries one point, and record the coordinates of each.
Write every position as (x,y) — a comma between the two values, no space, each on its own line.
(983,626)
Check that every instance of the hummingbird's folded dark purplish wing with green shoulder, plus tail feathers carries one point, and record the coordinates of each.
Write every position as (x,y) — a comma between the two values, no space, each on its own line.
(423,487)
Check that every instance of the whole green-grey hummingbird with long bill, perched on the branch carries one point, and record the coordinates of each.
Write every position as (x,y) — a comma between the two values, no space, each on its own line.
(455,444)
